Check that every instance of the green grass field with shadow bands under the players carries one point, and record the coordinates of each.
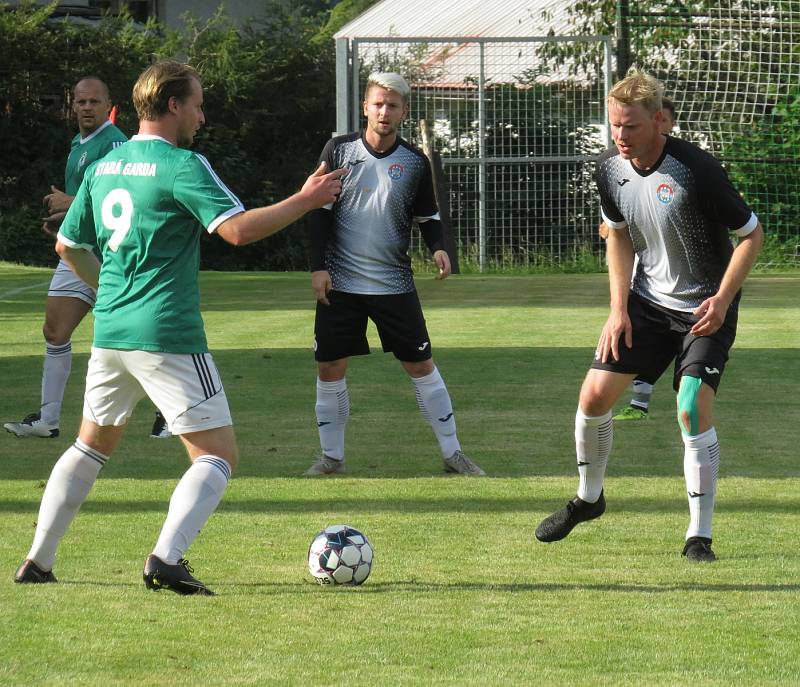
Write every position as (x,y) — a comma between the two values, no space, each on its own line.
(461,592)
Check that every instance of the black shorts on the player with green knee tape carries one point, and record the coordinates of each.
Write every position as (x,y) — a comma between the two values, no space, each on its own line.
(661,335)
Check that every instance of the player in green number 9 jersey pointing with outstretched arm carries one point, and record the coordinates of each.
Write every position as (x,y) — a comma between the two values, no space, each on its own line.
(145,206)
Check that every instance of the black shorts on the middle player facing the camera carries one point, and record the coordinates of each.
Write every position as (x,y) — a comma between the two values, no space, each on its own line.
(340,329)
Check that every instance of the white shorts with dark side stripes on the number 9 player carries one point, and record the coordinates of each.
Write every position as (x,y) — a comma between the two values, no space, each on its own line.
(186,388)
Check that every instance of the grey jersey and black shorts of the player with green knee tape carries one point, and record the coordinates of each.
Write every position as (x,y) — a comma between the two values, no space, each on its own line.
(679,214)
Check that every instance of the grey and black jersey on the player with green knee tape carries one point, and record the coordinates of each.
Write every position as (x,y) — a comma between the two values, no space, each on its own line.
(679,214)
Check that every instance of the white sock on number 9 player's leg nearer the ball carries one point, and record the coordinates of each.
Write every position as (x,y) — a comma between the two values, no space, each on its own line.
(194,500)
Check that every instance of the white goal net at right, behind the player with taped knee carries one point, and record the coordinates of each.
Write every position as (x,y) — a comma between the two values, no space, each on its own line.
(733,70)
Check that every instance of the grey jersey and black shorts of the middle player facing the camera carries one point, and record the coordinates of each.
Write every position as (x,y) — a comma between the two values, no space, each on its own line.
(362,240)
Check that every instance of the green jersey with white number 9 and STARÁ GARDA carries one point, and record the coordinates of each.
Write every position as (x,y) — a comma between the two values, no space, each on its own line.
(145,206)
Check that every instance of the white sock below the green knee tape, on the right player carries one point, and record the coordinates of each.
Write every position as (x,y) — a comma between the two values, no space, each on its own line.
(701,468)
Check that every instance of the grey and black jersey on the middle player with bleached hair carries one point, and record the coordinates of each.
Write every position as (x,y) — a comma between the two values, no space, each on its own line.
(382,195)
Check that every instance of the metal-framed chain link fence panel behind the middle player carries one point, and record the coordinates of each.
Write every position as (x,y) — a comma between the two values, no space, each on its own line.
(517,140)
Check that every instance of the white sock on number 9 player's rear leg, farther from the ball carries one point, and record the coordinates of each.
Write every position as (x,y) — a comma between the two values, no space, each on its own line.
(70,483)
